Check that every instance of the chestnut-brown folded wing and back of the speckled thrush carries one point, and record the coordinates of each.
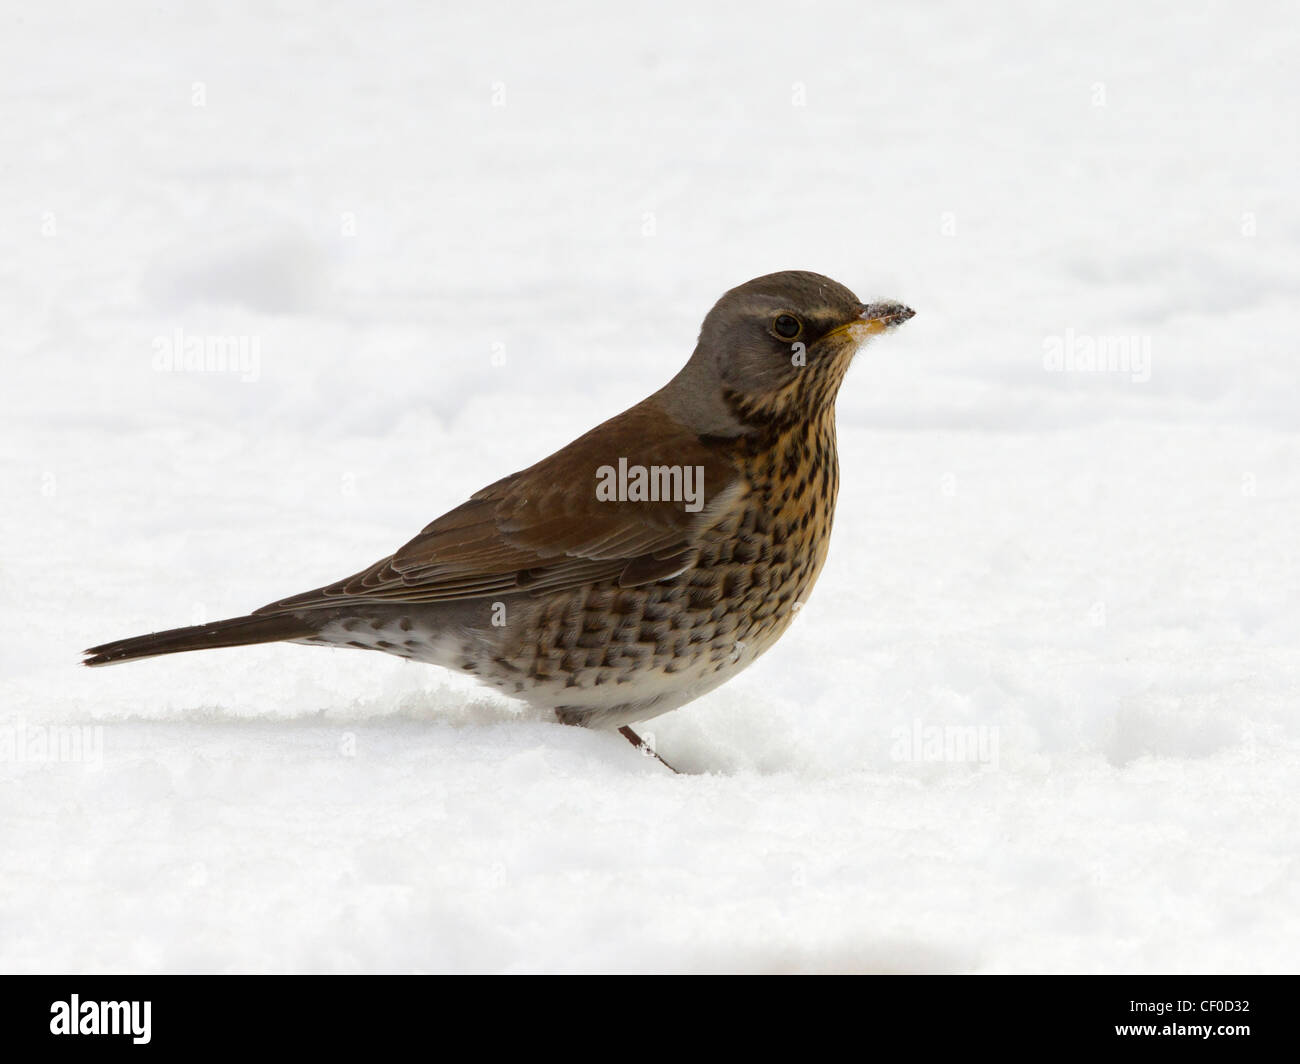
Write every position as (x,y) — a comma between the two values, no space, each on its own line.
(544,529)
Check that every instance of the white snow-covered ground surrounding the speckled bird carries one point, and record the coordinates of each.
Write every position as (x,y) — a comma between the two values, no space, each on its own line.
(461,239)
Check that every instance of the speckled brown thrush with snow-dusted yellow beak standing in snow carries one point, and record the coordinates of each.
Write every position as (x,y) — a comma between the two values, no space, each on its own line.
(638,568)
